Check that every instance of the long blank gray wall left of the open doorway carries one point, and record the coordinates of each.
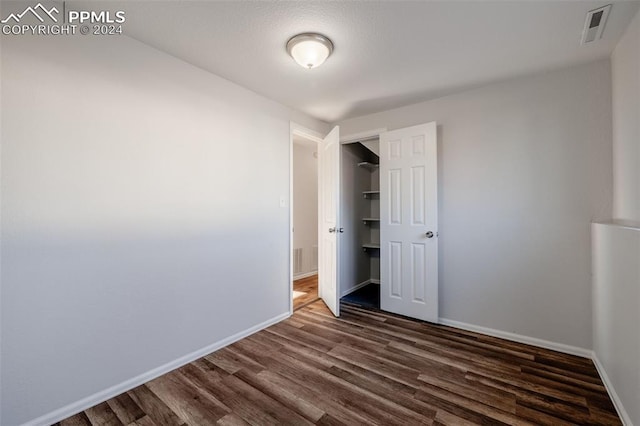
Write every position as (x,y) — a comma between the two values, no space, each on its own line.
(140,215)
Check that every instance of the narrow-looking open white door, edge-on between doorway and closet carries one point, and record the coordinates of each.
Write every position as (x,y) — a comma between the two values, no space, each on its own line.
(329,193)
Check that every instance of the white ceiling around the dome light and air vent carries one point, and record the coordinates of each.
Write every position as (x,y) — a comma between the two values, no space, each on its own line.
(387,54)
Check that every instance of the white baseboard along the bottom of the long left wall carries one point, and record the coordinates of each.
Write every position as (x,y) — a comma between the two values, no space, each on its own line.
(97,398)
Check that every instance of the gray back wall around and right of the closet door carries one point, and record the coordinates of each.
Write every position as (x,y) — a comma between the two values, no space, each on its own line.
(524,167)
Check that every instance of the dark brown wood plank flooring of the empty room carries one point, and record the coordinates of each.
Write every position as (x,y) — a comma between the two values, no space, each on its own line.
(366,367)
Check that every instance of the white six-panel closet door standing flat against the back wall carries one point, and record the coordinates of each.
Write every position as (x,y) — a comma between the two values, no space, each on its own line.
(409,222)
